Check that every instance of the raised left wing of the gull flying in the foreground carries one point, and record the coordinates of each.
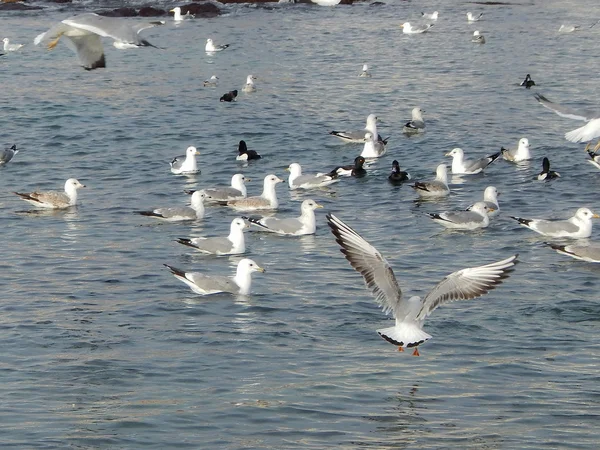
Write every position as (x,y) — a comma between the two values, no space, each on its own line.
(366,259)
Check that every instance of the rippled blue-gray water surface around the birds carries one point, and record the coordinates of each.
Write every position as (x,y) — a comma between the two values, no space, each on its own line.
(102,347)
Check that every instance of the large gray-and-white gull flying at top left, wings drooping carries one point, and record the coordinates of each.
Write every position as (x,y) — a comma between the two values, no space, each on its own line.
(83,34)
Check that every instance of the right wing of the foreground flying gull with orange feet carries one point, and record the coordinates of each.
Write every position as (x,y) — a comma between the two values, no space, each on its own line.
(467,284)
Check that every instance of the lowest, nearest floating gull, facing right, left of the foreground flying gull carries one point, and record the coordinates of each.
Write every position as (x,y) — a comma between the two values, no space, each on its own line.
(211,284)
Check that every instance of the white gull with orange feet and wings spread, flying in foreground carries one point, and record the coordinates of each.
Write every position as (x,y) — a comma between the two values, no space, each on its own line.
(410,314)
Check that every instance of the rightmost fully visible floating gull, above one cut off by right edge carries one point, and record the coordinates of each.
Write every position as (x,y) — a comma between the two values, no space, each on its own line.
(578,226)
